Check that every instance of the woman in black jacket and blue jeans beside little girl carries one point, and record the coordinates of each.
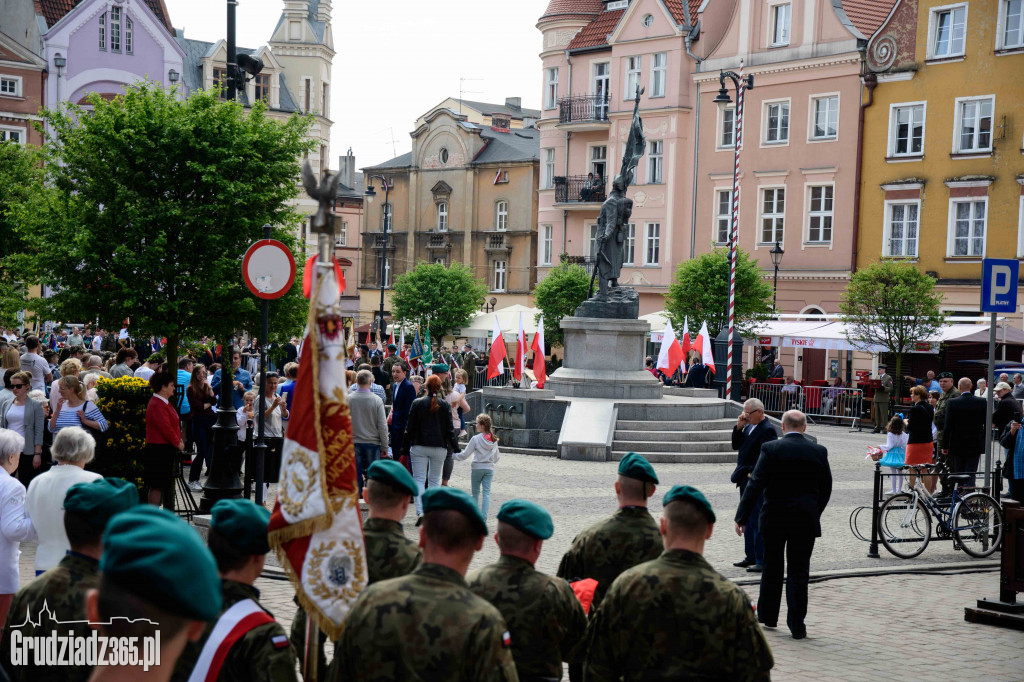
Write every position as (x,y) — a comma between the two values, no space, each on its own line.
(430,437)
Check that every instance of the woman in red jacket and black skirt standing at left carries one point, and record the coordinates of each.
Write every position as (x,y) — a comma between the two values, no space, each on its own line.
(163,440)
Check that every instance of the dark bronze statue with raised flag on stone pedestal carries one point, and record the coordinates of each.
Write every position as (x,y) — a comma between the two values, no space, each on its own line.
(611,300)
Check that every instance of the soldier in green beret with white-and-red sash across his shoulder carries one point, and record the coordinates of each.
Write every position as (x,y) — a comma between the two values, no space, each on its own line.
(239,542)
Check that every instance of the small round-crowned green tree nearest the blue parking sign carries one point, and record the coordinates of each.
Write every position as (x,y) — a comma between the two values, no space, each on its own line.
(891,305)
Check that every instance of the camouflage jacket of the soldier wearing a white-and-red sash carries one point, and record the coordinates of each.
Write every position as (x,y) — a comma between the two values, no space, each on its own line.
(255,658)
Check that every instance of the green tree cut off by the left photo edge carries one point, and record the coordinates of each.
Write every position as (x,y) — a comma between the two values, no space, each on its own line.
(22,180)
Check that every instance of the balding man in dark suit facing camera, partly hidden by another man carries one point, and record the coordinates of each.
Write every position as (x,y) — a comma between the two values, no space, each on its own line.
(752,432)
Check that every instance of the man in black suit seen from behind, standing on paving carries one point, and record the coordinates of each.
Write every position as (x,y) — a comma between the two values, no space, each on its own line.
(794,476)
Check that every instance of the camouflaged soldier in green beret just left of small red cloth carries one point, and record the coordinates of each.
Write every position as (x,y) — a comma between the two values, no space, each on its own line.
(544,617)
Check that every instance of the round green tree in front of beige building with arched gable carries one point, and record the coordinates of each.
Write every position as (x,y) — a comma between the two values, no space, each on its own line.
(443,299)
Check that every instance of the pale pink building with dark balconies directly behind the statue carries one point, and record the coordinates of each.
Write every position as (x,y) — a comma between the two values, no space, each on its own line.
(595,55)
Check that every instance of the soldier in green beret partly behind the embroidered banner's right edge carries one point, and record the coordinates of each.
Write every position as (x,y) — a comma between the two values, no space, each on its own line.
(390,491)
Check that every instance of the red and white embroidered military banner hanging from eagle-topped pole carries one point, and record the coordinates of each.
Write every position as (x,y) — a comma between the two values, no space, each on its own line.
(316,527)
